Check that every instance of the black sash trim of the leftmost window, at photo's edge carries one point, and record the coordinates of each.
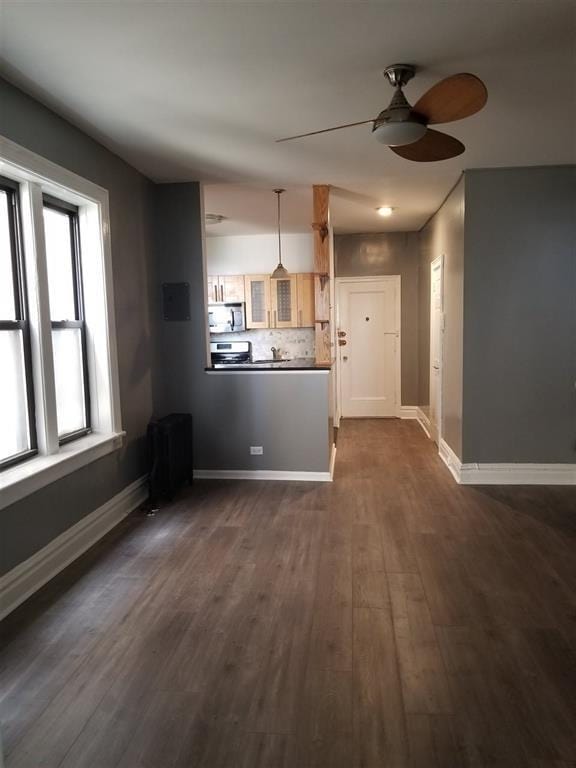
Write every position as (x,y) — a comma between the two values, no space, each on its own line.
(21,323)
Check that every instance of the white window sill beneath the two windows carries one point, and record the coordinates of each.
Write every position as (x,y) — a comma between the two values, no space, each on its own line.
(23,479)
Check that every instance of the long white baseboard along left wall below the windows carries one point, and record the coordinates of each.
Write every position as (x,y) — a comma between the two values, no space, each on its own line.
(27,577)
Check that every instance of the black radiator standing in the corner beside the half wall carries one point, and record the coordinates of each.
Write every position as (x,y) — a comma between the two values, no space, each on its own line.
(170,455)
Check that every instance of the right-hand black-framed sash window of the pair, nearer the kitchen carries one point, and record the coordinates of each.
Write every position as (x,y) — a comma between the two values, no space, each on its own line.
(65,290)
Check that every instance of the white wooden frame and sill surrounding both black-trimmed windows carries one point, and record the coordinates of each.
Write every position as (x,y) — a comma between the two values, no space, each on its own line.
(38,176)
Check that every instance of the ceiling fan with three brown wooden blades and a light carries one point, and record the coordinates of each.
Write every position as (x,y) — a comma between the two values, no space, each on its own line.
(405,129)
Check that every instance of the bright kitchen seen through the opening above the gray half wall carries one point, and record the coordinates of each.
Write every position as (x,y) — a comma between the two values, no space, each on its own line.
(262,320)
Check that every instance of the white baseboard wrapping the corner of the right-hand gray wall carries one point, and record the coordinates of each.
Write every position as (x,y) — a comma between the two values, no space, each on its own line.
(506,474)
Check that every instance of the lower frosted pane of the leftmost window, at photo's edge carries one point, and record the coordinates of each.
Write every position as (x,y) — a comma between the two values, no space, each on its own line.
(14,432)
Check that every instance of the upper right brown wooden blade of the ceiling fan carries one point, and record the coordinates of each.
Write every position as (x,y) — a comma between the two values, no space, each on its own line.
(452,99)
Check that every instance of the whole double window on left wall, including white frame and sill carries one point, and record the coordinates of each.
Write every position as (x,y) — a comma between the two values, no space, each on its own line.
(59,390)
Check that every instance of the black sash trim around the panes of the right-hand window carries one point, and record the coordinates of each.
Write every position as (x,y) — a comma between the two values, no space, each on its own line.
(79,322)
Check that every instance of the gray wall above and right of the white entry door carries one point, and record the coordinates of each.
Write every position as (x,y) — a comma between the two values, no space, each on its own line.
(391,253)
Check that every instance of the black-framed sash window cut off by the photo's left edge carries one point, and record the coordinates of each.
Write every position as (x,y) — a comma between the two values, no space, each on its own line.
(18,434)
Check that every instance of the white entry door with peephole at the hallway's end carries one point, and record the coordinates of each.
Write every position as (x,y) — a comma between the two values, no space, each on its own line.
(369,358)
